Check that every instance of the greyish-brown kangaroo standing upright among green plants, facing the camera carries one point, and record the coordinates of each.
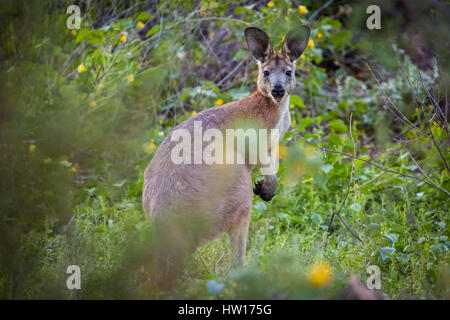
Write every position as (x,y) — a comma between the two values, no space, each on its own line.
(193,203)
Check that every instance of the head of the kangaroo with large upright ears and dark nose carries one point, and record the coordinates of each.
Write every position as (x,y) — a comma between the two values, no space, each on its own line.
(276,76)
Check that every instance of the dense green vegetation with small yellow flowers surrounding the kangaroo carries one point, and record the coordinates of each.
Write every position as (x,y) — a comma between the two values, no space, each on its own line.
(84,110)
